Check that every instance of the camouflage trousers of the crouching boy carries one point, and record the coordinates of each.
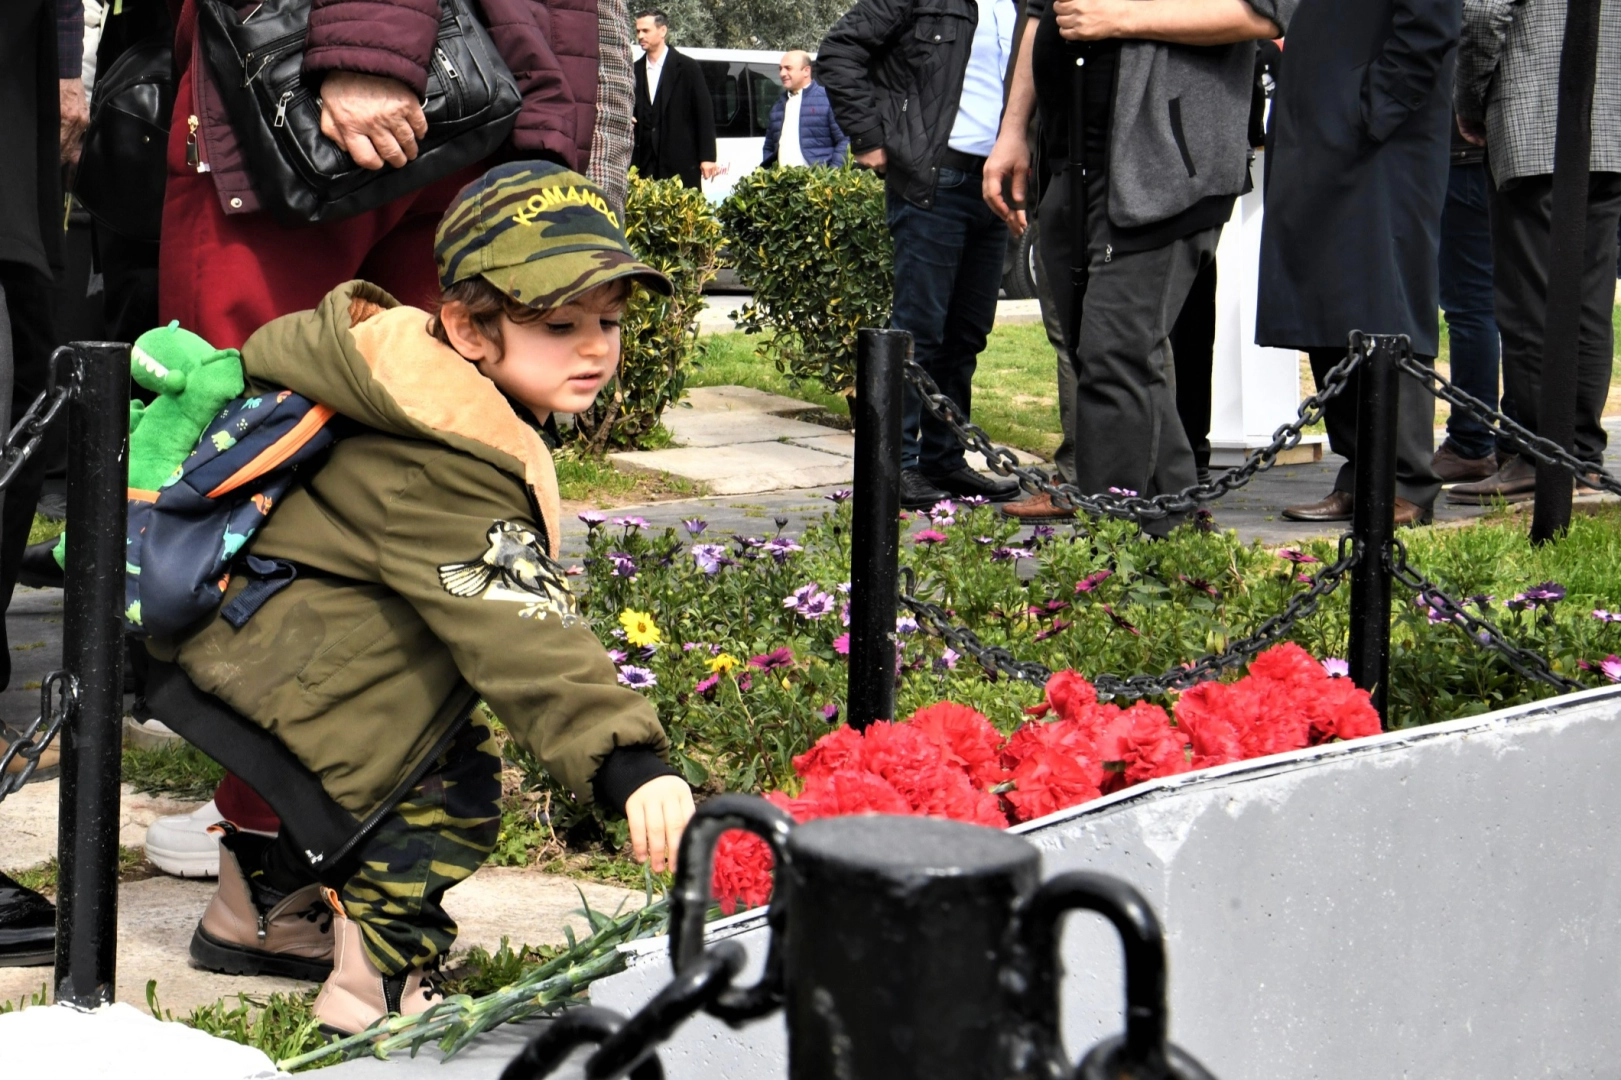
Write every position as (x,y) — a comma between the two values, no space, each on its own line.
(435,838)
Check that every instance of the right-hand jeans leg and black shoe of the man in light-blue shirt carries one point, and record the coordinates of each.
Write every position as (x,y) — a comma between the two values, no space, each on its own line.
(972,312)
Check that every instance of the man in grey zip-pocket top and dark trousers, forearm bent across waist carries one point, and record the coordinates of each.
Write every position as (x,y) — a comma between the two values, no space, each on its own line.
(1168,92)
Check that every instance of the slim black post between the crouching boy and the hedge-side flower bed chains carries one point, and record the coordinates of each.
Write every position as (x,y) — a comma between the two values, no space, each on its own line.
(875,534)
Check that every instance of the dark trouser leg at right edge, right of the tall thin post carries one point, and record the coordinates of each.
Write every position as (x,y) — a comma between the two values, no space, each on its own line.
(1596,351)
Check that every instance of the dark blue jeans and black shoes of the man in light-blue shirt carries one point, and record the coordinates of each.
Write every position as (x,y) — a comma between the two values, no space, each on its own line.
(947,281)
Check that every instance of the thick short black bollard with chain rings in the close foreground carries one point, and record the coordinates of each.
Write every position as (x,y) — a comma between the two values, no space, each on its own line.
(897,940)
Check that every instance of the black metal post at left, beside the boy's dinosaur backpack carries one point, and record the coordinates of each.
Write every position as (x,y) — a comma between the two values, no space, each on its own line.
(93,656)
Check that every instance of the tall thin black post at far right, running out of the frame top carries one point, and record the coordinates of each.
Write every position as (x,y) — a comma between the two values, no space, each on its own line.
(1567,264)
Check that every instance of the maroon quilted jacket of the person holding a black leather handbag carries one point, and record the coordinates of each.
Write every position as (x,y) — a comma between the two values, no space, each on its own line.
(550,46)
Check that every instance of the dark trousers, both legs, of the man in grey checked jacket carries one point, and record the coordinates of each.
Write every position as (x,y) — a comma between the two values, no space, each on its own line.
(1521,233)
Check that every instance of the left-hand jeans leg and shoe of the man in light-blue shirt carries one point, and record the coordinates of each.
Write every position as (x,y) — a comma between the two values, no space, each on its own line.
(928,252)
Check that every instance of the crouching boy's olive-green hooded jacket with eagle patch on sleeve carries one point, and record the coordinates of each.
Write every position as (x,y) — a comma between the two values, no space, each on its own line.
(427,555)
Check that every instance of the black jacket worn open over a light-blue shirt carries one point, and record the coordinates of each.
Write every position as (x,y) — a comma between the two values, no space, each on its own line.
(894,71)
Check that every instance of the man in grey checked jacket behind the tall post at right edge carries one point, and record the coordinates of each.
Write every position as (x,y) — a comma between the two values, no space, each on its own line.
(1507,100)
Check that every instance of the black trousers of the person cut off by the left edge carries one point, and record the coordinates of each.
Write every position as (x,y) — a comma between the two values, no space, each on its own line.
(28,309)
